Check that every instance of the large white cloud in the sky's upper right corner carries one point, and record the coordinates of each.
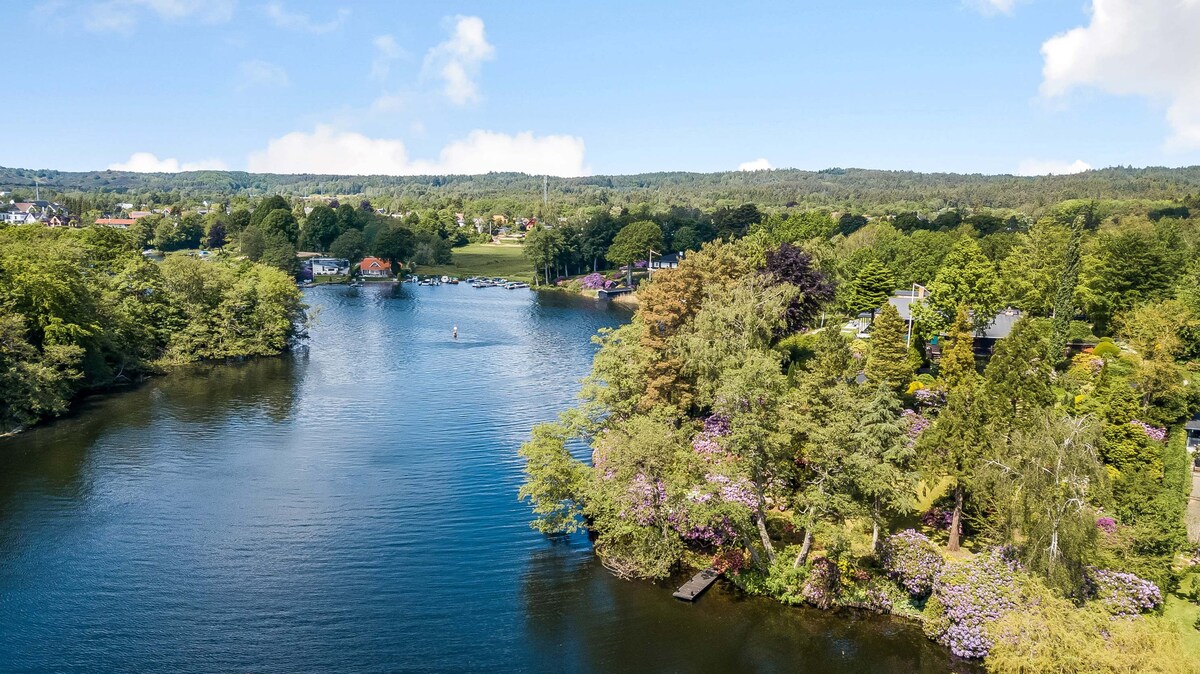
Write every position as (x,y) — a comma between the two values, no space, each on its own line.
(1135,49)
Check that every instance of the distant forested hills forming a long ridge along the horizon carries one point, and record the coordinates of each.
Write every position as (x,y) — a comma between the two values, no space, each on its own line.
(855,190)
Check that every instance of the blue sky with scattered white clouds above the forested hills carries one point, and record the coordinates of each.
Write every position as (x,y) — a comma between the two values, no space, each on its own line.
(591,88)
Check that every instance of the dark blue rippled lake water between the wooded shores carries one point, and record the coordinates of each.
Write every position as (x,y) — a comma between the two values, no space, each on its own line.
(353,508)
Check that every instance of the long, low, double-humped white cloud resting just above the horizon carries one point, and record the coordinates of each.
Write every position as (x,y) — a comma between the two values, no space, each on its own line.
(331,152)
